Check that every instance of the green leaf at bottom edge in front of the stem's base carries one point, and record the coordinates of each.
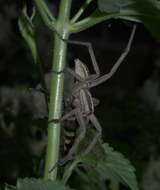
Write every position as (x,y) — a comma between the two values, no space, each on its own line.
(40,184)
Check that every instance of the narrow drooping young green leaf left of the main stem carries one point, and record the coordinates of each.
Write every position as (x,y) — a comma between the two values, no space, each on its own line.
(28,31)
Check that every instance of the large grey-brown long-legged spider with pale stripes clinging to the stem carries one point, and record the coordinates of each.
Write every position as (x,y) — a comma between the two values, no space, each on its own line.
(81,100)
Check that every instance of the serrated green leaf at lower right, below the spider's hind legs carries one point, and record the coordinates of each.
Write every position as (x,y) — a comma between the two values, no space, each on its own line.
(111,165)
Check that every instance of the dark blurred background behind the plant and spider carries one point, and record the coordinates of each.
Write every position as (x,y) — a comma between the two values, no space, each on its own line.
(129,107)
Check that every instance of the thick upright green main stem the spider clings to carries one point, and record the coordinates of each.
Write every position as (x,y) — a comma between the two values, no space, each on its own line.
(57,80)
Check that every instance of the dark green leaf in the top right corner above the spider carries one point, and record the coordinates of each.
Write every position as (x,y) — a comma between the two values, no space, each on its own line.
(145,11)
